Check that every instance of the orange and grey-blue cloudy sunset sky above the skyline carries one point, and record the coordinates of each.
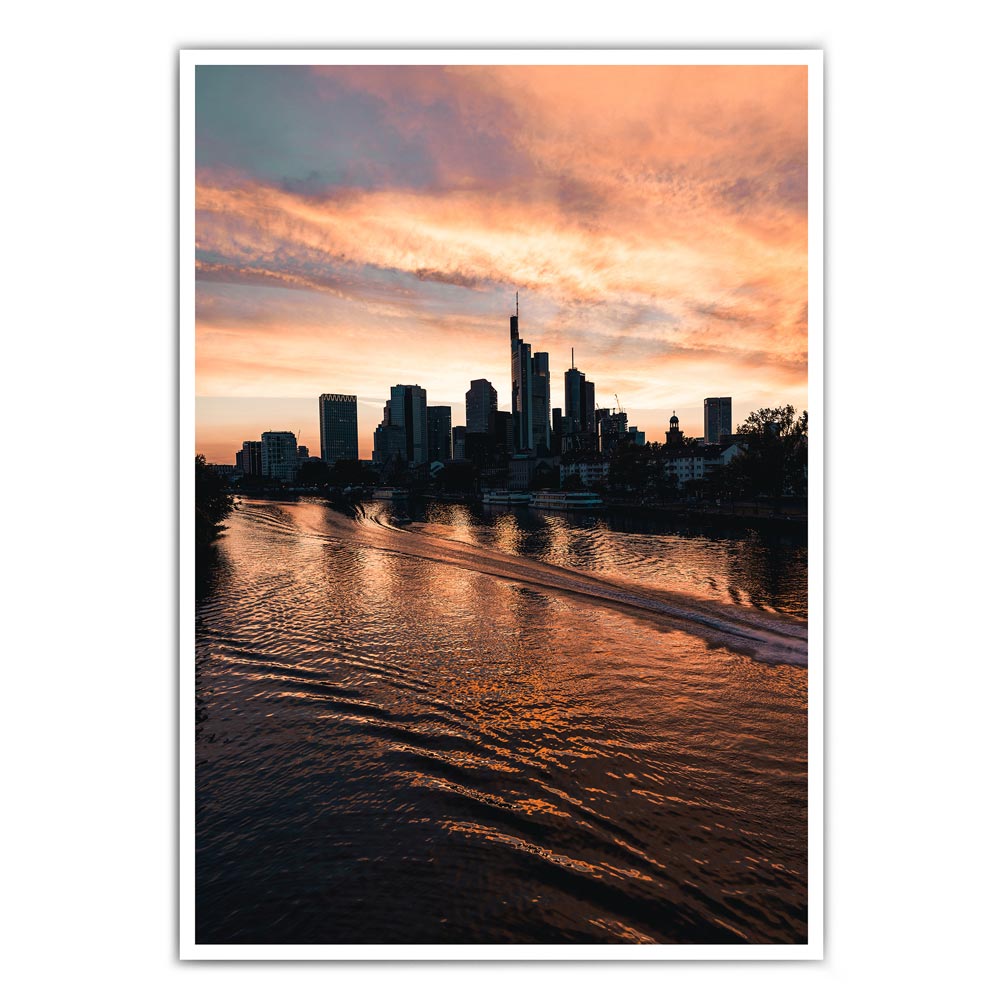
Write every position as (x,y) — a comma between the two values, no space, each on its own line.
(359,227)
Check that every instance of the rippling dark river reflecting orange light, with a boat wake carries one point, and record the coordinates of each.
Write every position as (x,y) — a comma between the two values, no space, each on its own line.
(499,727)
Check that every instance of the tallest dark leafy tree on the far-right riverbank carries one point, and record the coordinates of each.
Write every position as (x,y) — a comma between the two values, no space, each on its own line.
(774,457)
